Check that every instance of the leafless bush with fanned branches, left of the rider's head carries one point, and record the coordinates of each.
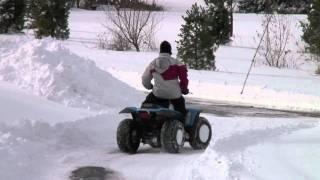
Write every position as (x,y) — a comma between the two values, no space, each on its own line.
(129,21)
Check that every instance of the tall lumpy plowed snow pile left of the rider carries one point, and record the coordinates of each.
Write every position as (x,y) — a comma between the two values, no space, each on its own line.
(49,70)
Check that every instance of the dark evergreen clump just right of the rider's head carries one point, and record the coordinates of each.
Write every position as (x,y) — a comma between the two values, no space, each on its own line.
(203,31)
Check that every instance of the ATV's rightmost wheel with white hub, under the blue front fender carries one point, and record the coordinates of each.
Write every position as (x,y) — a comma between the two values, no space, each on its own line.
(200,134)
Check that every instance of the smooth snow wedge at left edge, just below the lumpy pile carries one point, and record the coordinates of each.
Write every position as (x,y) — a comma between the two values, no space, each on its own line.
(17,106)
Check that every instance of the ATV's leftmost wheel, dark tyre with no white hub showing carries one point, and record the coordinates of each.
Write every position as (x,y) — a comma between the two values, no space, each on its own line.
(128,136)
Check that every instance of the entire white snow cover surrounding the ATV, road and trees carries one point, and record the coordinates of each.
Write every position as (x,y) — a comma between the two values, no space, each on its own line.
(59,104)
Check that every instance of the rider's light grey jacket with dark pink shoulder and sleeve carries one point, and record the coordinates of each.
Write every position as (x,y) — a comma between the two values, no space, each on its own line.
(170,77)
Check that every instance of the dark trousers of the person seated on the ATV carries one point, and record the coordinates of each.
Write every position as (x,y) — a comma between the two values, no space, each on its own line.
(178,104)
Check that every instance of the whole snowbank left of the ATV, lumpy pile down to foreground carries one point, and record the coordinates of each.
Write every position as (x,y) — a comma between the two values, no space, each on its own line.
(42,82)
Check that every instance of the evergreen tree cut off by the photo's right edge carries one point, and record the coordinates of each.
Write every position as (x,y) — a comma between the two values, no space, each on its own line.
(311,29)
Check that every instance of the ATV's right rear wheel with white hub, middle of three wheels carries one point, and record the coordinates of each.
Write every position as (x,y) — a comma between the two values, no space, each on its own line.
(172,136)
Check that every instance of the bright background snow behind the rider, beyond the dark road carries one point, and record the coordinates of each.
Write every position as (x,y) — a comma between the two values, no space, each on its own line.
(290,89)
